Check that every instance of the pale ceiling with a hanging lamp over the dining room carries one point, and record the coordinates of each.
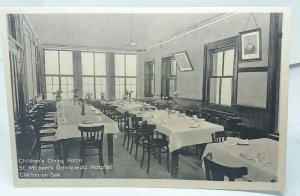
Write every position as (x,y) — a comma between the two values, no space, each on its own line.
(112,31)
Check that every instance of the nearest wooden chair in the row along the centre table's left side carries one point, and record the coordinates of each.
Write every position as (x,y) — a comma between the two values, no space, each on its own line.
(150,144)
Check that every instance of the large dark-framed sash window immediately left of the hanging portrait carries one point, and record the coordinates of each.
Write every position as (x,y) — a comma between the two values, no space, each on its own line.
(219,74)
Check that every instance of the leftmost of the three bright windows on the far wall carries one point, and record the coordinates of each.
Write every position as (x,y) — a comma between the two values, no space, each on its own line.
(59,73)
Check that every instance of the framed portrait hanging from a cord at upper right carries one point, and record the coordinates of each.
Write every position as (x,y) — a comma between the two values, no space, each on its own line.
(250,45)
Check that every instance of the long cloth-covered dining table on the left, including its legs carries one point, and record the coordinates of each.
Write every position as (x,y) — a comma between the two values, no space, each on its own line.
(68,128)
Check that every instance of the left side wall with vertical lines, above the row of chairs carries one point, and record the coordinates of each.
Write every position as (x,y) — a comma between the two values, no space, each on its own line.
(27,50)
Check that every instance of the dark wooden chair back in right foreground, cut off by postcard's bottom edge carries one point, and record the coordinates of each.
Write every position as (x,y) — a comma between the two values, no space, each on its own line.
(217,172)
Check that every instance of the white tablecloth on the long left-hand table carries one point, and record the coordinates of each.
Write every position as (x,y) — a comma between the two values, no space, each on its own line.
(74,118)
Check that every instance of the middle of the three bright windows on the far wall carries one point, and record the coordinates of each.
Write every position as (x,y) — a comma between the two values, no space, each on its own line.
(94,74)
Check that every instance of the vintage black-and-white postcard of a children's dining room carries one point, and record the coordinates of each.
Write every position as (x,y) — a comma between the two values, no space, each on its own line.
(147,97)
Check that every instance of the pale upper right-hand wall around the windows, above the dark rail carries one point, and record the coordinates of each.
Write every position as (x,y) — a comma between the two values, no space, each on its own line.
(194,44)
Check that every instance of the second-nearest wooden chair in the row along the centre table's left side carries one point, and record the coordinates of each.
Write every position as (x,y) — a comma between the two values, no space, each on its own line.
(137,133)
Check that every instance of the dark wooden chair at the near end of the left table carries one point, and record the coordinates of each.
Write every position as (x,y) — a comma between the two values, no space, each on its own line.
(91,138)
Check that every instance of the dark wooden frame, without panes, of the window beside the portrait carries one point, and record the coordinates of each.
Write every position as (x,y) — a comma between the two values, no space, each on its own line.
(209,49)
